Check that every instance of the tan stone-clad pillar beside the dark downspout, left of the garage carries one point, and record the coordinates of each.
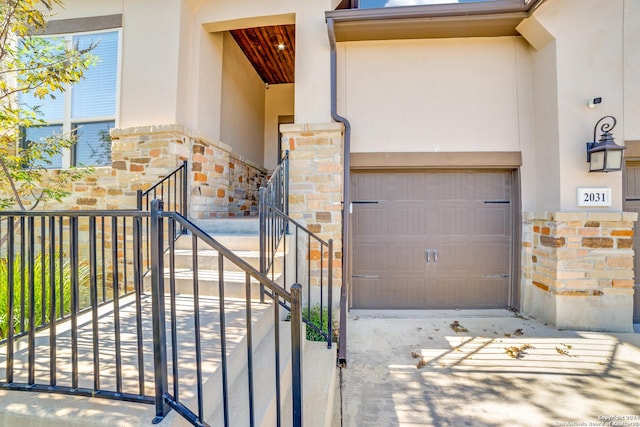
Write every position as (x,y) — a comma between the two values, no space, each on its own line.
(315,176)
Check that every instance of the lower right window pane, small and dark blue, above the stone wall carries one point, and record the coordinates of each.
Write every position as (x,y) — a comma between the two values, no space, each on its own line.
(94,144)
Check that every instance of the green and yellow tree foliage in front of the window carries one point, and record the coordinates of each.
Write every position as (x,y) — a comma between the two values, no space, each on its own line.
(42,67)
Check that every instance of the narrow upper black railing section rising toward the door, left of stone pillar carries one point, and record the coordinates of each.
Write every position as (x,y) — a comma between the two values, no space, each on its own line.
(272,228)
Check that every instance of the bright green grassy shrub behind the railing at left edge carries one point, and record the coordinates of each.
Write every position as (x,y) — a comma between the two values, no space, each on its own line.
(40,299)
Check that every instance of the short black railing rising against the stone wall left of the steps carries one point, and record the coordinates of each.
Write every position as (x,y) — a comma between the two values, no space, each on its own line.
(173,191)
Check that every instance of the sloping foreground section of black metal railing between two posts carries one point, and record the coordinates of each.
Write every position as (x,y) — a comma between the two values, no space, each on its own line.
(279,295)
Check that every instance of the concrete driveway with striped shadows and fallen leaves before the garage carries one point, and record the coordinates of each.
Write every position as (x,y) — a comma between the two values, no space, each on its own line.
(411,368)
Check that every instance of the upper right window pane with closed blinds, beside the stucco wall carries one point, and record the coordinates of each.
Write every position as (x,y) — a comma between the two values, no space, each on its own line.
(95,96)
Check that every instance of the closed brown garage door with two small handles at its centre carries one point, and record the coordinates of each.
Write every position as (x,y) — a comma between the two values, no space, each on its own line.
(438,239)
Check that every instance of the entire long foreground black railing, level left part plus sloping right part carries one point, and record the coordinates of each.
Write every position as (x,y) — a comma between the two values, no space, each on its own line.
(78,322)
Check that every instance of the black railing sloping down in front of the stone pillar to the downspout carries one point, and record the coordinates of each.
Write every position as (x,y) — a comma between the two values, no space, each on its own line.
(313,260)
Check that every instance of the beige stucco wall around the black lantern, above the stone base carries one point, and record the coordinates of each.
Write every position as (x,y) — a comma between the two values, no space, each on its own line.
(586,46)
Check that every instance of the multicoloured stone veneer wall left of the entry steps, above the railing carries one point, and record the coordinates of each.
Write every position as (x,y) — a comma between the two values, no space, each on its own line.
(221,183)
